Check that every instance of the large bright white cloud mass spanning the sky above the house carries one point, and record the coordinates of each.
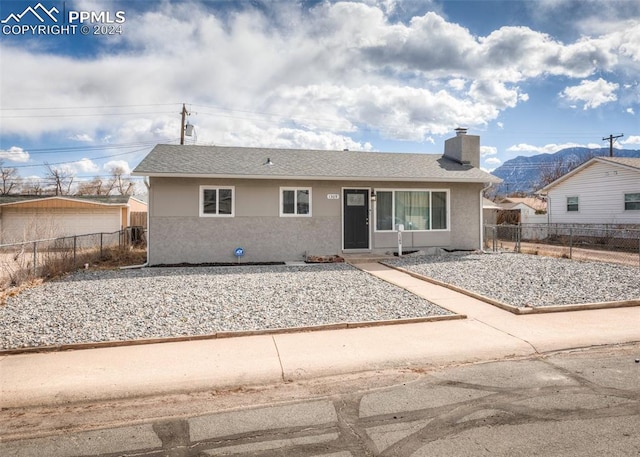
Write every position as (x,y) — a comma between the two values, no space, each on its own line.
(333,70)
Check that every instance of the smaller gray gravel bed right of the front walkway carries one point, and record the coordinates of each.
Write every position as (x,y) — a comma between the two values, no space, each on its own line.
(522,279)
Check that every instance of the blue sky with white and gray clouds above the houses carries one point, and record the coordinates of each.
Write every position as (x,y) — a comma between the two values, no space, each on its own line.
(387,75)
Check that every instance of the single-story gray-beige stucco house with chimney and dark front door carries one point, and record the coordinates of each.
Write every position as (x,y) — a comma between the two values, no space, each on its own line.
(286,204)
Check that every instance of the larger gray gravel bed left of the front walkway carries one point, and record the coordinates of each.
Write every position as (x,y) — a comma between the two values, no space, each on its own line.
(116,305)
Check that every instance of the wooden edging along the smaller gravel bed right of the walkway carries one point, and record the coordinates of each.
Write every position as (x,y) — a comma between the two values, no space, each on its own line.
(515,309)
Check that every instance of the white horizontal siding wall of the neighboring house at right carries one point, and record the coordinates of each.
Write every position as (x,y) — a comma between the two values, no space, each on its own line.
(600,189)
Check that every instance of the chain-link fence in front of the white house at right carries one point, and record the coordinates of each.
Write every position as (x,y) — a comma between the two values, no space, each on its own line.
(600,242)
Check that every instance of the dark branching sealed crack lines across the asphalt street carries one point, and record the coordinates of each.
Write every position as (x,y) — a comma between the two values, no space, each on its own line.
(496,406)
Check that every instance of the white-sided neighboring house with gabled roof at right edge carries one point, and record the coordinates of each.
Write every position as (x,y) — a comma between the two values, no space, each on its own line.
(604,190)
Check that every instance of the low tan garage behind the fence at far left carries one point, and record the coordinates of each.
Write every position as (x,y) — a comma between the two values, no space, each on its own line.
(29,217)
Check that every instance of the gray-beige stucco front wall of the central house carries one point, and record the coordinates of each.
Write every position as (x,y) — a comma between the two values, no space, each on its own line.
(178,234)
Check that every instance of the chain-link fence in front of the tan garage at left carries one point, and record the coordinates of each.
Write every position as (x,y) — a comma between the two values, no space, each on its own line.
(48,257)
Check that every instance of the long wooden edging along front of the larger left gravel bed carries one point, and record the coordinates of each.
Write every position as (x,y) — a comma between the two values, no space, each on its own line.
(228,334)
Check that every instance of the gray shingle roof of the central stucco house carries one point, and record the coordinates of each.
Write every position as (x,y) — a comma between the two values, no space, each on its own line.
(240,162)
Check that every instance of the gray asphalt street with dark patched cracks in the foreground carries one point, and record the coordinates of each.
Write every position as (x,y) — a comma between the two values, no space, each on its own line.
(576,403)
